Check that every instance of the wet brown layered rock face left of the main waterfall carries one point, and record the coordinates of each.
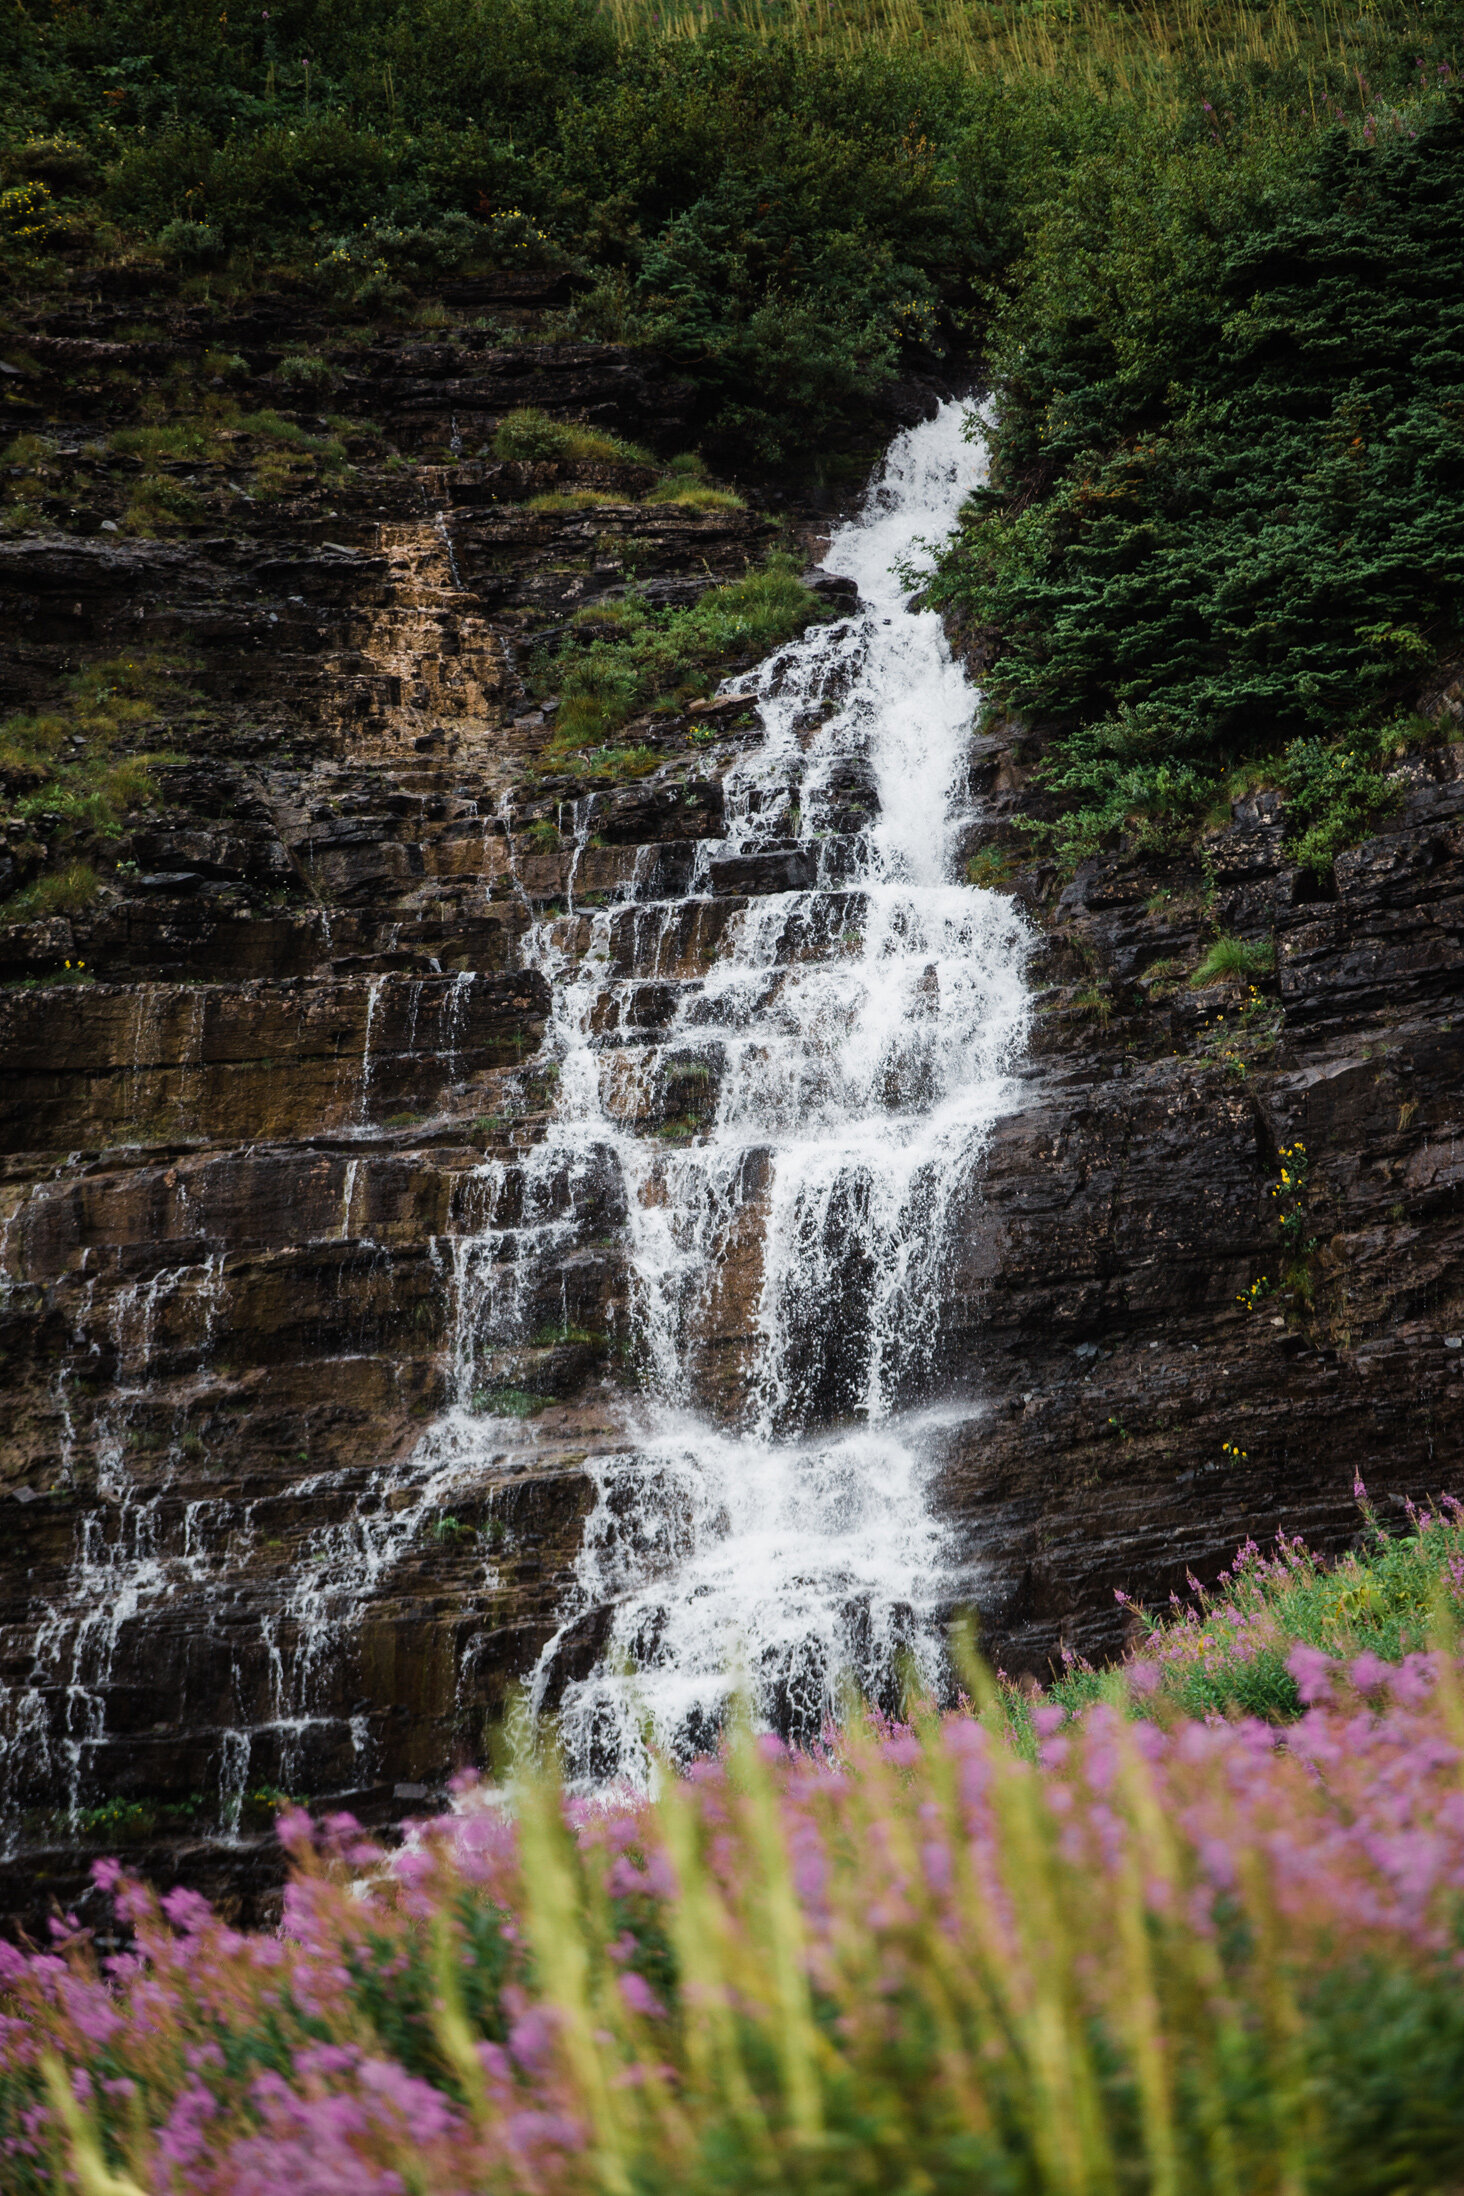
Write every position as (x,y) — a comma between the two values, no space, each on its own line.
(251,1088)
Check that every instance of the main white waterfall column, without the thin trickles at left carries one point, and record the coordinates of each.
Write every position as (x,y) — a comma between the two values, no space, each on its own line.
(857,1033)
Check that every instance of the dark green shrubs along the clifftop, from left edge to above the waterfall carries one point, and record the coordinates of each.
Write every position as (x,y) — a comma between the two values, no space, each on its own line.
(782,223)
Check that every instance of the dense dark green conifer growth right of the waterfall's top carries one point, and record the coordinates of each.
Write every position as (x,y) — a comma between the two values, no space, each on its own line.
(1228,519)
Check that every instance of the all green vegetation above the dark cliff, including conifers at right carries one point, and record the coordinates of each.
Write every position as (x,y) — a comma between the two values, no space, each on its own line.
(1213,256)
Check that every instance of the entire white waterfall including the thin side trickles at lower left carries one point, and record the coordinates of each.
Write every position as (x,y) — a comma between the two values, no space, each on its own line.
(772,1086)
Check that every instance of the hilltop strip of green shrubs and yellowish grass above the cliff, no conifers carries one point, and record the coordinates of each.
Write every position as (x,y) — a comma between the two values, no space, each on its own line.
(791,205)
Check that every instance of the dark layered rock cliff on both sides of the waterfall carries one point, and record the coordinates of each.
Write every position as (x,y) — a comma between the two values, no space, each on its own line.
(264,1099)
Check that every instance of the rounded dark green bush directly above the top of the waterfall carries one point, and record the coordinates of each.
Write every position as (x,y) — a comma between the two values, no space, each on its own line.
(782,219)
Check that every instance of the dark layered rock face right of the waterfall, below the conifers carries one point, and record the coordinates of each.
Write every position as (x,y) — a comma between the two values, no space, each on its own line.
(1145,1404)
